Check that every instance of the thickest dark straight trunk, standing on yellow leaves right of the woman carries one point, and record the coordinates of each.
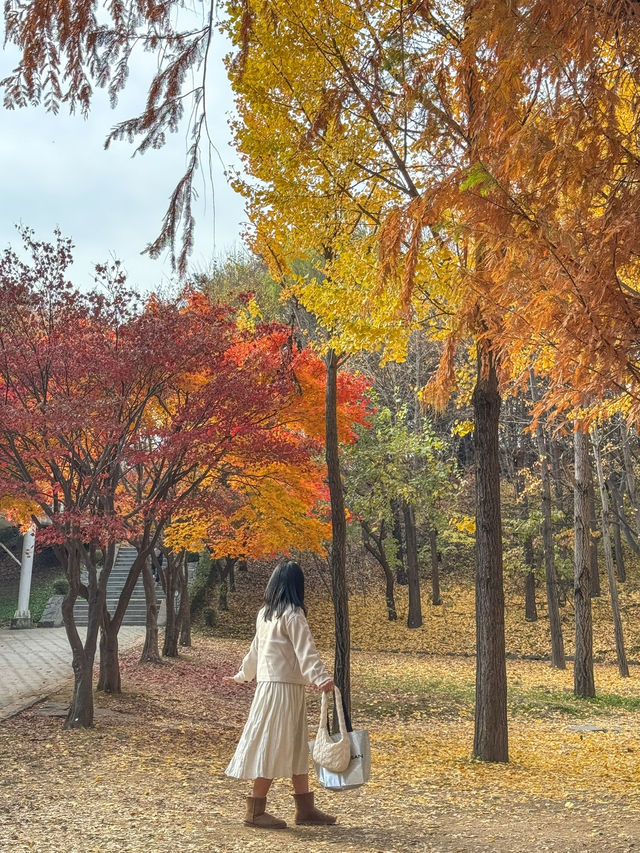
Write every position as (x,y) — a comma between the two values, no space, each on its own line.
(491,732)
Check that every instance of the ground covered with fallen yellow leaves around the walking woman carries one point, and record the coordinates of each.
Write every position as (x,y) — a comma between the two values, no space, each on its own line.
(150,775)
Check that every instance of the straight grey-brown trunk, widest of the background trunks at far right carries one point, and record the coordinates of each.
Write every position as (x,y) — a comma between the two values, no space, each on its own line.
(583,682)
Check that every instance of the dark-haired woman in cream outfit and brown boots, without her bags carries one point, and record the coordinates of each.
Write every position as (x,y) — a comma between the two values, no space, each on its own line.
(274,742)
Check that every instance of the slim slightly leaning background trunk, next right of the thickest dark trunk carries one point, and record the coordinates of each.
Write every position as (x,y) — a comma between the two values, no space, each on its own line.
(555,625)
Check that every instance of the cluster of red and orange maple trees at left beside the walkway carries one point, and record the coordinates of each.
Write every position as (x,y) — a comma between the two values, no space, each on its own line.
(170,422)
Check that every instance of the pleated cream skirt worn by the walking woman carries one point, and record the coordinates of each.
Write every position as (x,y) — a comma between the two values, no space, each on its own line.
(274,742)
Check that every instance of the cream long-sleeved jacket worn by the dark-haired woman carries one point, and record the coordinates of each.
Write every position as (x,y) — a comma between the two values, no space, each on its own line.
(283,650)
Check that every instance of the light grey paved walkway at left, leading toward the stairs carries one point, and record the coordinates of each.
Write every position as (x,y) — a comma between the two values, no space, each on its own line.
(34,663)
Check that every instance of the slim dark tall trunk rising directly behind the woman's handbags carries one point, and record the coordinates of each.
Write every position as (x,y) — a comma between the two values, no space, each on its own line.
(340,593)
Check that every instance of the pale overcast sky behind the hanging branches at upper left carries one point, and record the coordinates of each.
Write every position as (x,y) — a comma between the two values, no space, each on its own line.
(54,171)
